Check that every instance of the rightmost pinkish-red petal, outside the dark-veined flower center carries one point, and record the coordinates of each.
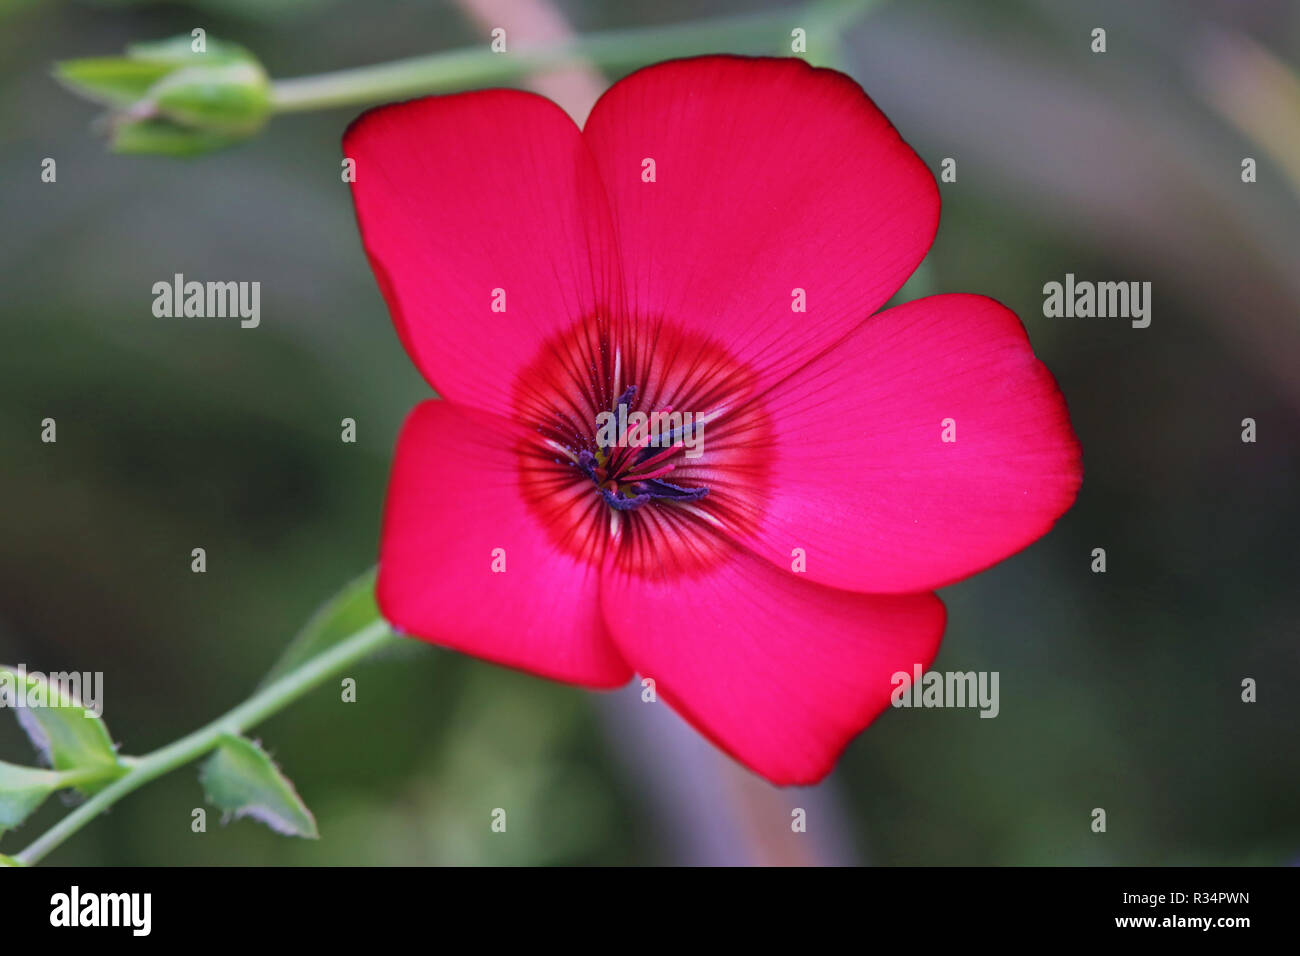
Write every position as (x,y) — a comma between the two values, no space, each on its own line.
(863,478)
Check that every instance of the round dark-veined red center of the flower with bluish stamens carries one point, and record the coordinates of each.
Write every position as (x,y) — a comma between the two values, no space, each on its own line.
(649,440)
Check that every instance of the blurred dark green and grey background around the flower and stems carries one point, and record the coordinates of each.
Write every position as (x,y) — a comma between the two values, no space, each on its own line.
(1120,691)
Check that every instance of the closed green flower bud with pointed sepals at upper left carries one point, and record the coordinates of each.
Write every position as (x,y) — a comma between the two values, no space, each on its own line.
(177,98)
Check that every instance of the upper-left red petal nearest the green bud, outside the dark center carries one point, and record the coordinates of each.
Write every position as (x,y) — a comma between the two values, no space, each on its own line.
(458,197)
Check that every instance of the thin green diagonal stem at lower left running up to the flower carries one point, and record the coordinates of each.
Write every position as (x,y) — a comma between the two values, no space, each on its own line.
(262,706)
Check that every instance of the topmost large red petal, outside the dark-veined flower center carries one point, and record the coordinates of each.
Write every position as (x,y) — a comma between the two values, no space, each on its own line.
(769,176)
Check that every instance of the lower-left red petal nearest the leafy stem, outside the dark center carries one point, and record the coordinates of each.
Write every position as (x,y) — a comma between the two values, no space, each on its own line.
(454,499)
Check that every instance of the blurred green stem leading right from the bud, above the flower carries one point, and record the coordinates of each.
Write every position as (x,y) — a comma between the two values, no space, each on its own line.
(458,70)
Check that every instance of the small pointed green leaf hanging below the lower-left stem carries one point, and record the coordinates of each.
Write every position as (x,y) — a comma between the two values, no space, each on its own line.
(241,778)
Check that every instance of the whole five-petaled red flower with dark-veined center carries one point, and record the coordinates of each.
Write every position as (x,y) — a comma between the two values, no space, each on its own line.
(541,275)
